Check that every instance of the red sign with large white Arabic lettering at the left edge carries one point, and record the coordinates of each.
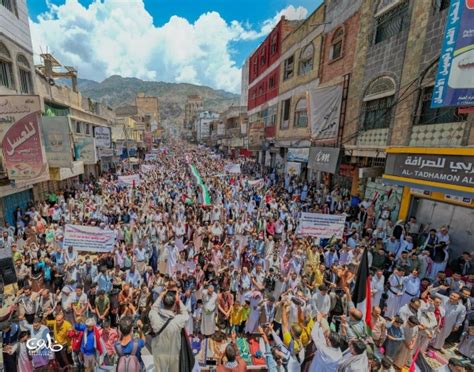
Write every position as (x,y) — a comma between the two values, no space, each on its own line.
(22,151)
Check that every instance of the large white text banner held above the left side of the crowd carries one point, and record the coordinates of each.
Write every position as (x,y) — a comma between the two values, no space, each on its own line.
(89,238)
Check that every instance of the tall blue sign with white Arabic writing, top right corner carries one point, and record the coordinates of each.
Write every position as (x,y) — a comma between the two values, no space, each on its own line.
(454,84)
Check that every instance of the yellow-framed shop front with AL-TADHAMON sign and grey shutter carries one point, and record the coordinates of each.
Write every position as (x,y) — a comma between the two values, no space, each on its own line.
(438,189)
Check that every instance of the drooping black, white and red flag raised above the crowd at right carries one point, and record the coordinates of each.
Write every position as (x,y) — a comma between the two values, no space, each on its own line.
(361,297)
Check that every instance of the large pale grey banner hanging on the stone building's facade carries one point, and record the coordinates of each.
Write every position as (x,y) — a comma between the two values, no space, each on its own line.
(325,110)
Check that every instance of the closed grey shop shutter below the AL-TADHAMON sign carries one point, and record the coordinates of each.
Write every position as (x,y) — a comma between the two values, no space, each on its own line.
(434,214)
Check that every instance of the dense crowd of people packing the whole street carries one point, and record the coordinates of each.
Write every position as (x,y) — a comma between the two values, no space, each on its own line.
(236,276)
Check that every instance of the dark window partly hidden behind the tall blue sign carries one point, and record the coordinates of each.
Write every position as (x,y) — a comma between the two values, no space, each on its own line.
(440,115)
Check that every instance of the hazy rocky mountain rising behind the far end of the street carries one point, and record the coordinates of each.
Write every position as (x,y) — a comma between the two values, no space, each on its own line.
(117,90)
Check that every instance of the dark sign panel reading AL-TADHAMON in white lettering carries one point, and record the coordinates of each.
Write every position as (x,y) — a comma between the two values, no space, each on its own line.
(448,169)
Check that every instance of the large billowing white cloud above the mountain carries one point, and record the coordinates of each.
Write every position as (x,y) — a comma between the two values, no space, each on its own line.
(113,37)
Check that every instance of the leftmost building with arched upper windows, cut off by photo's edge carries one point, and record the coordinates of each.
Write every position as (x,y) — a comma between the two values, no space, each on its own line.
(16,83)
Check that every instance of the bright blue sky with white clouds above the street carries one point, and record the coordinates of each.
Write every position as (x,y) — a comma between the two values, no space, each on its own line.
(201,42)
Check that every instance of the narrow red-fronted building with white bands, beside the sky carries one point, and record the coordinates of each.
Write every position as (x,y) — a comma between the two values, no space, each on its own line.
(263,85)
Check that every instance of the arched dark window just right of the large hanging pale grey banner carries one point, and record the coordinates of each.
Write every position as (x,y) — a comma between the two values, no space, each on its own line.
(378,100)
